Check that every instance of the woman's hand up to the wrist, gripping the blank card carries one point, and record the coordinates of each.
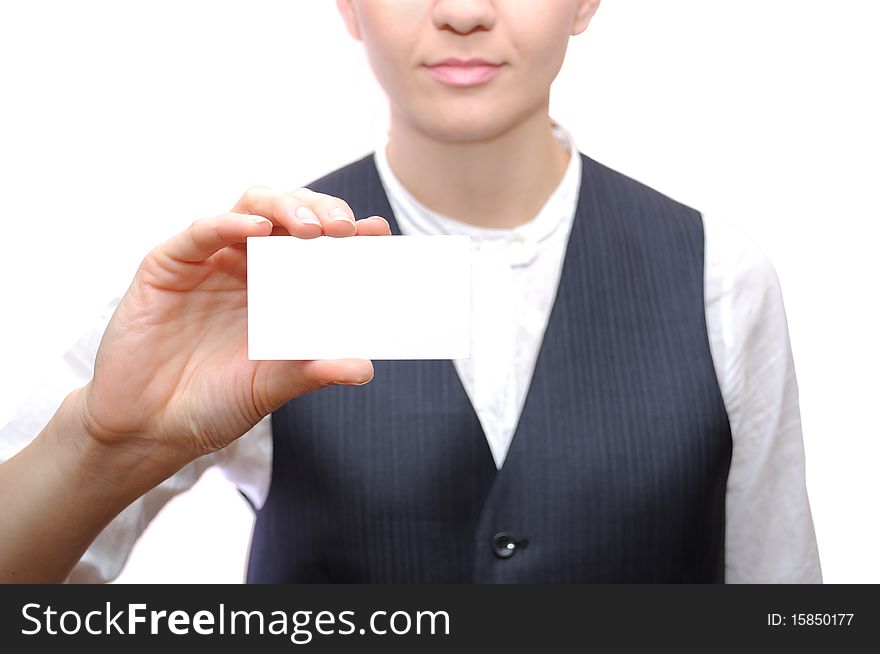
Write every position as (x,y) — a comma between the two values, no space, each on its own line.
(172,378)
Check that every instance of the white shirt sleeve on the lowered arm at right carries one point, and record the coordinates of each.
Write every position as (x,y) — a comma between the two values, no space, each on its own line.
(770,537)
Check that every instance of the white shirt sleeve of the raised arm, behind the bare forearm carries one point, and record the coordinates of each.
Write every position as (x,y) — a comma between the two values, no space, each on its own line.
(246,462)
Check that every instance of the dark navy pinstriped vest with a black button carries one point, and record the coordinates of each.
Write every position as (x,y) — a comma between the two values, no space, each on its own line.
(618,467)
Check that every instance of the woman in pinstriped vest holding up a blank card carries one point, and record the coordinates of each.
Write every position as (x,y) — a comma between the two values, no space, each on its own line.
(629,412)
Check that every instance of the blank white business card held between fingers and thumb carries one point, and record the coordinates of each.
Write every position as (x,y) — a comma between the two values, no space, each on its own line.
(370,297)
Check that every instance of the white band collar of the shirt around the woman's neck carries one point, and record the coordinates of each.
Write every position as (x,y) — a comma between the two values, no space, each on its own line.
(415,218)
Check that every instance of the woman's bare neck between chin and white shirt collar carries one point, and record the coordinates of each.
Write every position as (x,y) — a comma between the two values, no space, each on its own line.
(500,182)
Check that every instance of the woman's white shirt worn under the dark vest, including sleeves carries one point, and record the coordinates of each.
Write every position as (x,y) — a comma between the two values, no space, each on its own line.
(769,530)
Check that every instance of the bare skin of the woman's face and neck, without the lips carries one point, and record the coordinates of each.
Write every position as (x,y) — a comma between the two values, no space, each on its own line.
(483,155)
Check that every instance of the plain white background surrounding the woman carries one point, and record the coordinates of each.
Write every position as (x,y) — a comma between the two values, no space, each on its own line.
(122,122)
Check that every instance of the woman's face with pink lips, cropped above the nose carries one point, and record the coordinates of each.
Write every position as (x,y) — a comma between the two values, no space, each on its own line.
(526,40)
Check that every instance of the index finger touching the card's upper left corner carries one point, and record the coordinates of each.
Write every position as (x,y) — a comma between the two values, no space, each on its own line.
(207,236)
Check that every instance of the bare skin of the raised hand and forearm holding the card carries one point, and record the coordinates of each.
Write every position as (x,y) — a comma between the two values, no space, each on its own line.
(171,382)
